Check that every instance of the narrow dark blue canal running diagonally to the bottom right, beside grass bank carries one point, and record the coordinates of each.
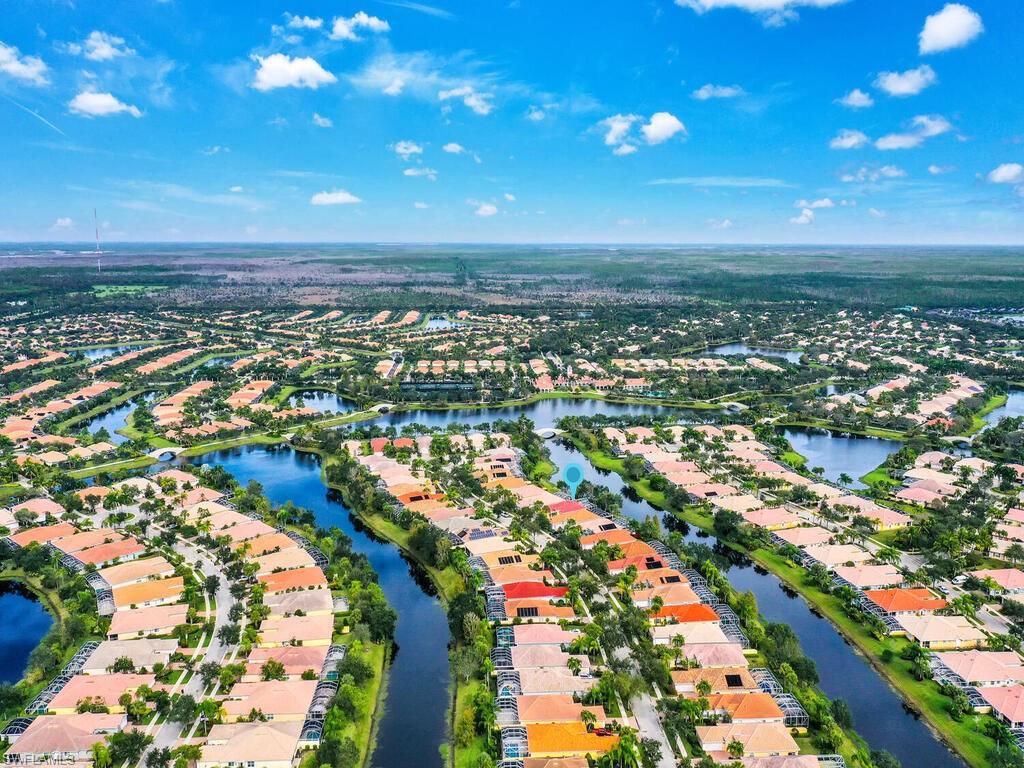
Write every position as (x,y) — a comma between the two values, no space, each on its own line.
(878,711)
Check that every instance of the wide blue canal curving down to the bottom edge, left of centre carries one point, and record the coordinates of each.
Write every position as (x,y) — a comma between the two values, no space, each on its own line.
(413,727)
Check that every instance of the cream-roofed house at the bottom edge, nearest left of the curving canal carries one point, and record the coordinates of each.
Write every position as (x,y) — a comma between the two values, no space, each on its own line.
(272,745)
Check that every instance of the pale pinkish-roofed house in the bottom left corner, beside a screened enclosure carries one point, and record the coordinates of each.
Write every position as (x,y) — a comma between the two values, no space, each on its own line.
(63,739)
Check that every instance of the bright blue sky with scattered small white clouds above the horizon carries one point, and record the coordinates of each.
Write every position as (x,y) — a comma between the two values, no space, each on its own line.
(647,121)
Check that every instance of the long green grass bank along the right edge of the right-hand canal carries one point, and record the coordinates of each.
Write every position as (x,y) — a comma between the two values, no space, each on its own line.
(964,737)
